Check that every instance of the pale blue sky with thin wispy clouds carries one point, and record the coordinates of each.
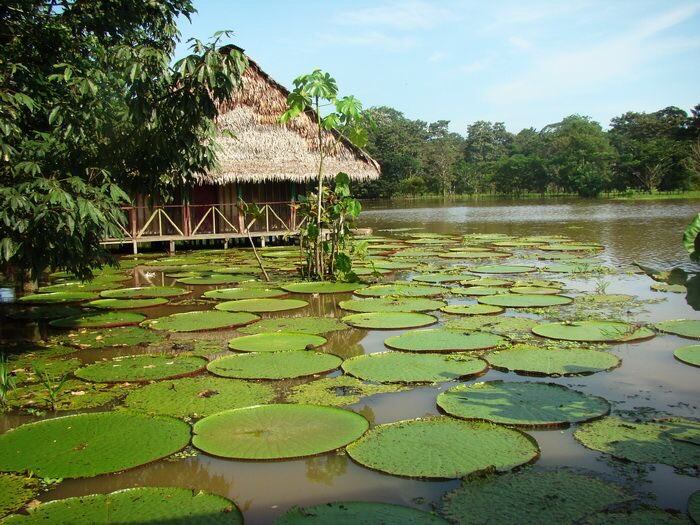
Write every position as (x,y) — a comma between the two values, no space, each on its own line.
(525,63)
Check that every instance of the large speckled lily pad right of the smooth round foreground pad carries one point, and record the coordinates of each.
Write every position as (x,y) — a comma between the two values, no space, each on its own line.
(456,448)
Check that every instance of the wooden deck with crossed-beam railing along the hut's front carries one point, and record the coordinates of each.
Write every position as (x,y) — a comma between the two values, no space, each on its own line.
(191,222)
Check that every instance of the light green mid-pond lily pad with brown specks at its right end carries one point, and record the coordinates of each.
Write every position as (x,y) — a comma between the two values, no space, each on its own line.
(403,367)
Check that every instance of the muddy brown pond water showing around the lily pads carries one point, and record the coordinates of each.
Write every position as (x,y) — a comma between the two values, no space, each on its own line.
(648,381)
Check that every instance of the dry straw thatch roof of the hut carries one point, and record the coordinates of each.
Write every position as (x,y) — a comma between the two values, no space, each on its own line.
(263,149)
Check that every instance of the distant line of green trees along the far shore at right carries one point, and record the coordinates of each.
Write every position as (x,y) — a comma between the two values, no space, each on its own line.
(657,151)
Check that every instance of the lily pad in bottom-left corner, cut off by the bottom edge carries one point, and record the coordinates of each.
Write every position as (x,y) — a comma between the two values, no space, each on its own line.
(137,505)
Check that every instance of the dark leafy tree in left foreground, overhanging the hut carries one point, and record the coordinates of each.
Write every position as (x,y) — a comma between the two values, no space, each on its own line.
(91,107)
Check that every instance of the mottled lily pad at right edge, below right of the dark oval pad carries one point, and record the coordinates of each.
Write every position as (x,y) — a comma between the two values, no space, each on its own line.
(647,442)
